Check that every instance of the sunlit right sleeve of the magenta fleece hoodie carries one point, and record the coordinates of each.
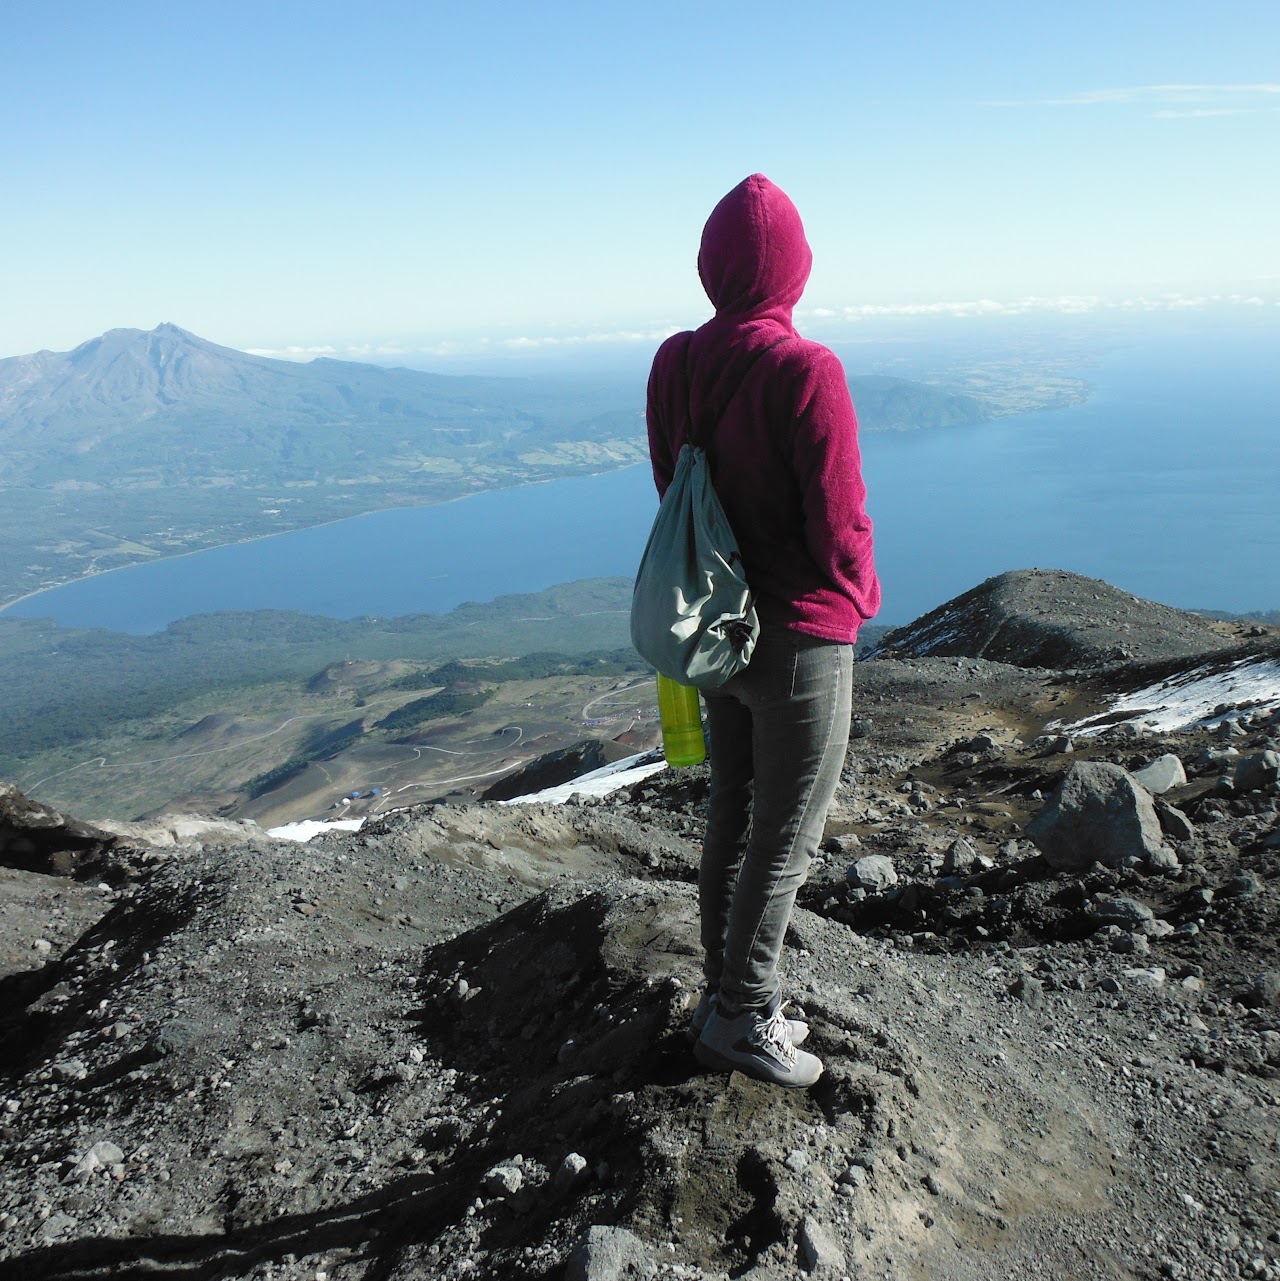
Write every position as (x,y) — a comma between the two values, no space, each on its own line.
(828,467)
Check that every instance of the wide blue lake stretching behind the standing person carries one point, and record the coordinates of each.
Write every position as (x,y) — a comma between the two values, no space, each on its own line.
(1165,484)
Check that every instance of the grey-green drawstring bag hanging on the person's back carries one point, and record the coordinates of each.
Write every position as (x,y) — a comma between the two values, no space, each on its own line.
(693,612)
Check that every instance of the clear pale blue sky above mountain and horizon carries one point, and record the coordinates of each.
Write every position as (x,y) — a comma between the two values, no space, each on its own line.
(402,181)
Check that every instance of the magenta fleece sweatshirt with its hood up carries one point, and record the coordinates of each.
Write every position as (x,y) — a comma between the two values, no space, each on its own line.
(785,454)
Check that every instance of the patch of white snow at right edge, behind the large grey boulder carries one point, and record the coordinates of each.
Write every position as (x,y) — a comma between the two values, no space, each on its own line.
(1202,698)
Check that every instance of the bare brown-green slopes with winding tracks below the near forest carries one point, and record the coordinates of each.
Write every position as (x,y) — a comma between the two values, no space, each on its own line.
(322,742)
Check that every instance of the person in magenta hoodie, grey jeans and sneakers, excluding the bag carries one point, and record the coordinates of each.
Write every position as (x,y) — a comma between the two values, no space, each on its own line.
(782,439)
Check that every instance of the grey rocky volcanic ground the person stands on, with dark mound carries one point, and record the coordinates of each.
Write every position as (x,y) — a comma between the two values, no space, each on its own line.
(452,1045)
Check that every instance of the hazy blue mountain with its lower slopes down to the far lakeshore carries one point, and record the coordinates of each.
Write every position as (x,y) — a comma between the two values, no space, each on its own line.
(152,444)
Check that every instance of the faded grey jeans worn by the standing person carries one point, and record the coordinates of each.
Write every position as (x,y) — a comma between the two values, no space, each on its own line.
(780,731)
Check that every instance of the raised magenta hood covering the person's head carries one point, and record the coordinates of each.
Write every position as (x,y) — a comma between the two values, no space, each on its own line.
(755,259)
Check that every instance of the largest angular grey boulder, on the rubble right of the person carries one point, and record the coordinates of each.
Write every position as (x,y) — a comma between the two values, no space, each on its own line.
(1099,815)
